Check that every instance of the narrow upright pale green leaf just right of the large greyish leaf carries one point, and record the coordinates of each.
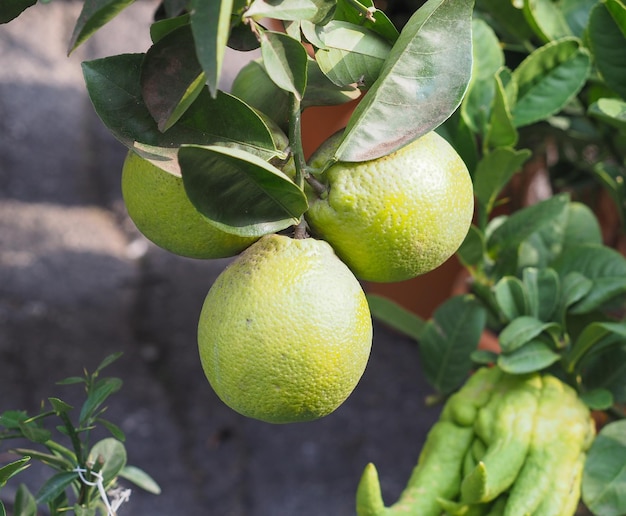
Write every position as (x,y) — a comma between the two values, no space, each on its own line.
(488,58)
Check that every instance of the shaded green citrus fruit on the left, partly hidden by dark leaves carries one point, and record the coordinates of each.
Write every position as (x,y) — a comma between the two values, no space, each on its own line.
(158,205)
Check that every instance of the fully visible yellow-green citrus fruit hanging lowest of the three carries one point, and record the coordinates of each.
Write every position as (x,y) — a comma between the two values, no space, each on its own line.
(285,331)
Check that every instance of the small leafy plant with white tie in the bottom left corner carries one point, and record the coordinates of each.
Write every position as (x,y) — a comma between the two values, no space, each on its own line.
(85,475)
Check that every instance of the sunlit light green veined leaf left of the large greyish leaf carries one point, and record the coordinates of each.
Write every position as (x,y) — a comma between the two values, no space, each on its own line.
(350,54)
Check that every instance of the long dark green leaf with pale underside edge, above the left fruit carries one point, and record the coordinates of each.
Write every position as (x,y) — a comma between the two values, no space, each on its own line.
(113,84)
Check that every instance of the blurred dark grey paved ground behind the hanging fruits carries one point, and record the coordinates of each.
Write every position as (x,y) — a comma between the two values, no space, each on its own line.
(77,282)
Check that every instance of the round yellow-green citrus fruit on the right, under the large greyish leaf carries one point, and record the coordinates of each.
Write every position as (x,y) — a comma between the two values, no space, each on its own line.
(398,216)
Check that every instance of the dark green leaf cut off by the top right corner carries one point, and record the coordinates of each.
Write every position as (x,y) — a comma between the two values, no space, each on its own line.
(608,44)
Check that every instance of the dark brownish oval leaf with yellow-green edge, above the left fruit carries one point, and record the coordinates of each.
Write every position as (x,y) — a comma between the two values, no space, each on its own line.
(171,77)
